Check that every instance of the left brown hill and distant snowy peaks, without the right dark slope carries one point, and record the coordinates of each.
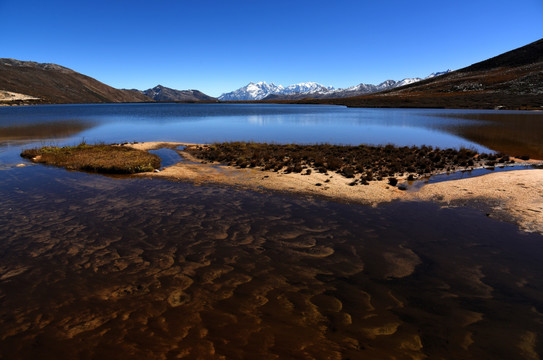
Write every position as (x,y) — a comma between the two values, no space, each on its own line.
(44,83)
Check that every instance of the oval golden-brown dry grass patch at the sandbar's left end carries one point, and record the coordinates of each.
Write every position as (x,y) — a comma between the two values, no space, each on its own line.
(110,159)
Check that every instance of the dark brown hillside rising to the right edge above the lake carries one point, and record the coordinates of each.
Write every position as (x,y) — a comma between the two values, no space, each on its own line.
(513,80)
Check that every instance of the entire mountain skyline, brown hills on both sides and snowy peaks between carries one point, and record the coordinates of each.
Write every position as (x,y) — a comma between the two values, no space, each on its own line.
(513,80)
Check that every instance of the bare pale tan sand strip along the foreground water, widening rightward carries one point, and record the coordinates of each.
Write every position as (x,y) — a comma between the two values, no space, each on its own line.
(515,196)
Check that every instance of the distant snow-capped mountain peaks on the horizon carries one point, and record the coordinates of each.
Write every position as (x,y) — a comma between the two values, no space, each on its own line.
(262,90)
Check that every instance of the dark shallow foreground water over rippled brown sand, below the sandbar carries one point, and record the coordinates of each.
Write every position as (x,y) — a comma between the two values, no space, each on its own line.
(150,269)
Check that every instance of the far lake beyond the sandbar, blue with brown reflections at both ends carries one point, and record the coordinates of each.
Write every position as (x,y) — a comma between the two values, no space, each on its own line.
(513,132)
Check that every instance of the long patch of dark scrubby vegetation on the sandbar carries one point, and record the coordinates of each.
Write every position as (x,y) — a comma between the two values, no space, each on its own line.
(368,163)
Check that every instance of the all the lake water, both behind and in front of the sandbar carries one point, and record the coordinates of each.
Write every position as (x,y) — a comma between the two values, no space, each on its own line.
(95,267)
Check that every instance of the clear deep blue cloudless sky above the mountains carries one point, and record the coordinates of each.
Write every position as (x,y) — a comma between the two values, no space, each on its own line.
(217,46)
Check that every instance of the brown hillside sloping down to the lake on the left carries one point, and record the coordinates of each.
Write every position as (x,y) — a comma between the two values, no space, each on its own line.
(56,84)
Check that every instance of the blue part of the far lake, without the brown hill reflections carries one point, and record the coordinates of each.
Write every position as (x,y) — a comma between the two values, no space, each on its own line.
(204,123)
